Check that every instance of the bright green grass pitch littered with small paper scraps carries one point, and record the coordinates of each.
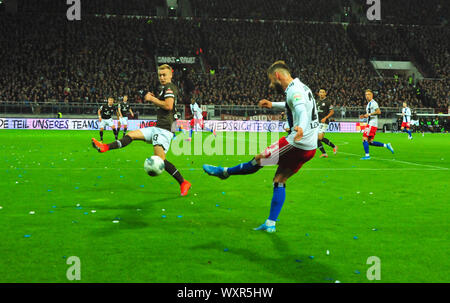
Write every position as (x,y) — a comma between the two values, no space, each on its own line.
(395,207)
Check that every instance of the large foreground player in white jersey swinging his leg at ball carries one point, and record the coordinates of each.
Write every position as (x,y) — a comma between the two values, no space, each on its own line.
(290,152)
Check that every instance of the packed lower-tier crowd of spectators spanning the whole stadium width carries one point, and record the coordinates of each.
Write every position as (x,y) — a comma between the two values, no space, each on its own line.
(52,60)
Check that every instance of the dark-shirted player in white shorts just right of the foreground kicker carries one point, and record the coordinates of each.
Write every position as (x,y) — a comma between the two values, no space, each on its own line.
(326,110)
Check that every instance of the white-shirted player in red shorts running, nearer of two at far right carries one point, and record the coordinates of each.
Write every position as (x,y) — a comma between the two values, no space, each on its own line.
(372,111)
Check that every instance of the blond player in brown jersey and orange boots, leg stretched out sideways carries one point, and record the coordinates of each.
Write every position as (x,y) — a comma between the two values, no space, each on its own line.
(161,134)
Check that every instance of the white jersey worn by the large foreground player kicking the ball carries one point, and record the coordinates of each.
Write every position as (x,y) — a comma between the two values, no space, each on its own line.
(297,92)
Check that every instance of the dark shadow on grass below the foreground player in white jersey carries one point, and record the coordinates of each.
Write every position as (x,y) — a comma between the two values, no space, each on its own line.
(293,266)
